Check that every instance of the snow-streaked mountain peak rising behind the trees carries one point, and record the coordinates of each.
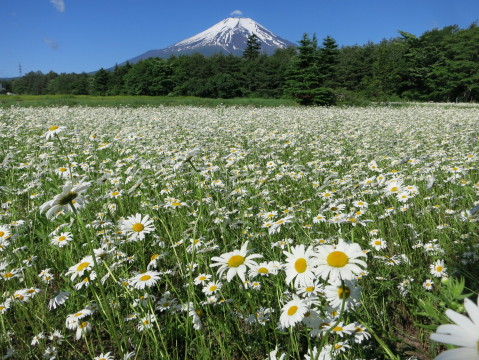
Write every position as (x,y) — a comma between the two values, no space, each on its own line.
(229,36)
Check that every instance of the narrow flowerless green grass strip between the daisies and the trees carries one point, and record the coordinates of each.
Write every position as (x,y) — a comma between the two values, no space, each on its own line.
(131,101)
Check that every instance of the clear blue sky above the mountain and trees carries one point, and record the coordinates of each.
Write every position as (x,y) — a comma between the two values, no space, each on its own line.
(85,35)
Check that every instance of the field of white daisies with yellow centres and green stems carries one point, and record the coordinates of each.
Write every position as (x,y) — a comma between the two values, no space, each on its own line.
(239,233)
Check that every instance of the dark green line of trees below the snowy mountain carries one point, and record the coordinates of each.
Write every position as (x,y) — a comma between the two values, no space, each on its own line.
(440,65)
